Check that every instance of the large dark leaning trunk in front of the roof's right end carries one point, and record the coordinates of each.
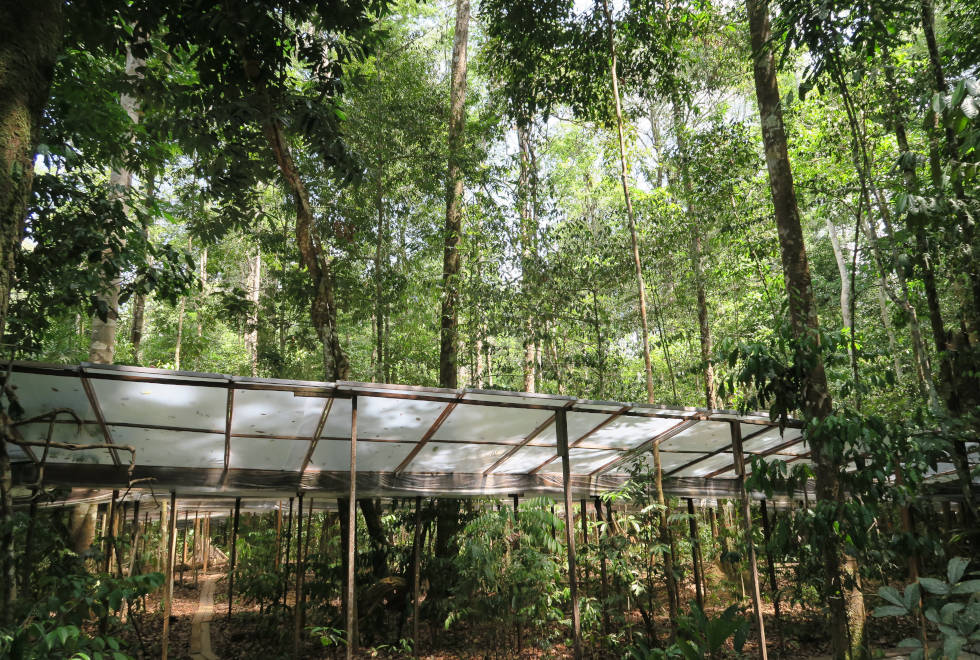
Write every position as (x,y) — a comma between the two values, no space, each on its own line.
(846,640)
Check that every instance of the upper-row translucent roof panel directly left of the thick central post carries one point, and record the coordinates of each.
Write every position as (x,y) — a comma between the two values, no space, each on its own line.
(489,424)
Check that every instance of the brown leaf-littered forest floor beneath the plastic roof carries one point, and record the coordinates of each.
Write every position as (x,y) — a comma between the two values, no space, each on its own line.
(249,633)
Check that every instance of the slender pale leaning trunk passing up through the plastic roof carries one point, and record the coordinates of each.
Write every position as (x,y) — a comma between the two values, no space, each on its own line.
(673,593)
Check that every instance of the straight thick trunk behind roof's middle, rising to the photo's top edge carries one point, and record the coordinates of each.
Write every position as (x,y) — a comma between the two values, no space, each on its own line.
(449,323)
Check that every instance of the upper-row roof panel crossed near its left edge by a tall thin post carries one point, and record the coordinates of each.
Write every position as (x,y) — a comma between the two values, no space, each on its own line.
(395,419)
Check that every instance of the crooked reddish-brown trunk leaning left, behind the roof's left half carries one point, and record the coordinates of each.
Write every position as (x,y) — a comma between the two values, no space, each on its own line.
(315,258)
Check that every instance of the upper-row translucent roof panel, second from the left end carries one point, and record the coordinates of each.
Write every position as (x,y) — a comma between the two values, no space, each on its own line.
(187,406)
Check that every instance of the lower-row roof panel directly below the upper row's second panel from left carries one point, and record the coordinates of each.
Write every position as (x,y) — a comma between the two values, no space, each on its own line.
(172,448)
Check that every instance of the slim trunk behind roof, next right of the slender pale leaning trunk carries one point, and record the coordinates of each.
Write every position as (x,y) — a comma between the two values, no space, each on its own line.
(697,255)
